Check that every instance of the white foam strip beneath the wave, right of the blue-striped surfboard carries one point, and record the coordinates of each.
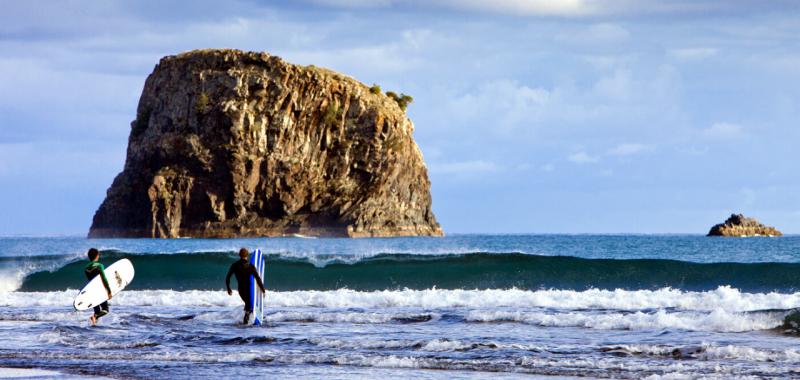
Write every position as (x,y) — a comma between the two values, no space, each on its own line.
(723,297)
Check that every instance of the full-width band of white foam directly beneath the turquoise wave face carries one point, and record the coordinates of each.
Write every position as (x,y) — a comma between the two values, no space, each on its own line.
(723,298)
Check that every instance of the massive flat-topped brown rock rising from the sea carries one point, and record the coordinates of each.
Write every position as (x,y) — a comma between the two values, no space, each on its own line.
(229,144)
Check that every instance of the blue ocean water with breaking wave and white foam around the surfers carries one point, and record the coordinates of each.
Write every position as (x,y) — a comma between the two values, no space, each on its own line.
(463,306)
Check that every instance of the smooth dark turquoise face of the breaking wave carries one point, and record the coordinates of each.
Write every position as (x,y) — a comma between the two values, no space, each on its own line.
(206,271)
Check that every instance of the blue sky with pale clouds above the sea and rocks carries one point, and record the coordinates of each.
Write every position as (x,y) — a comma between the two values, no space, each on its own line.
(533,116)
